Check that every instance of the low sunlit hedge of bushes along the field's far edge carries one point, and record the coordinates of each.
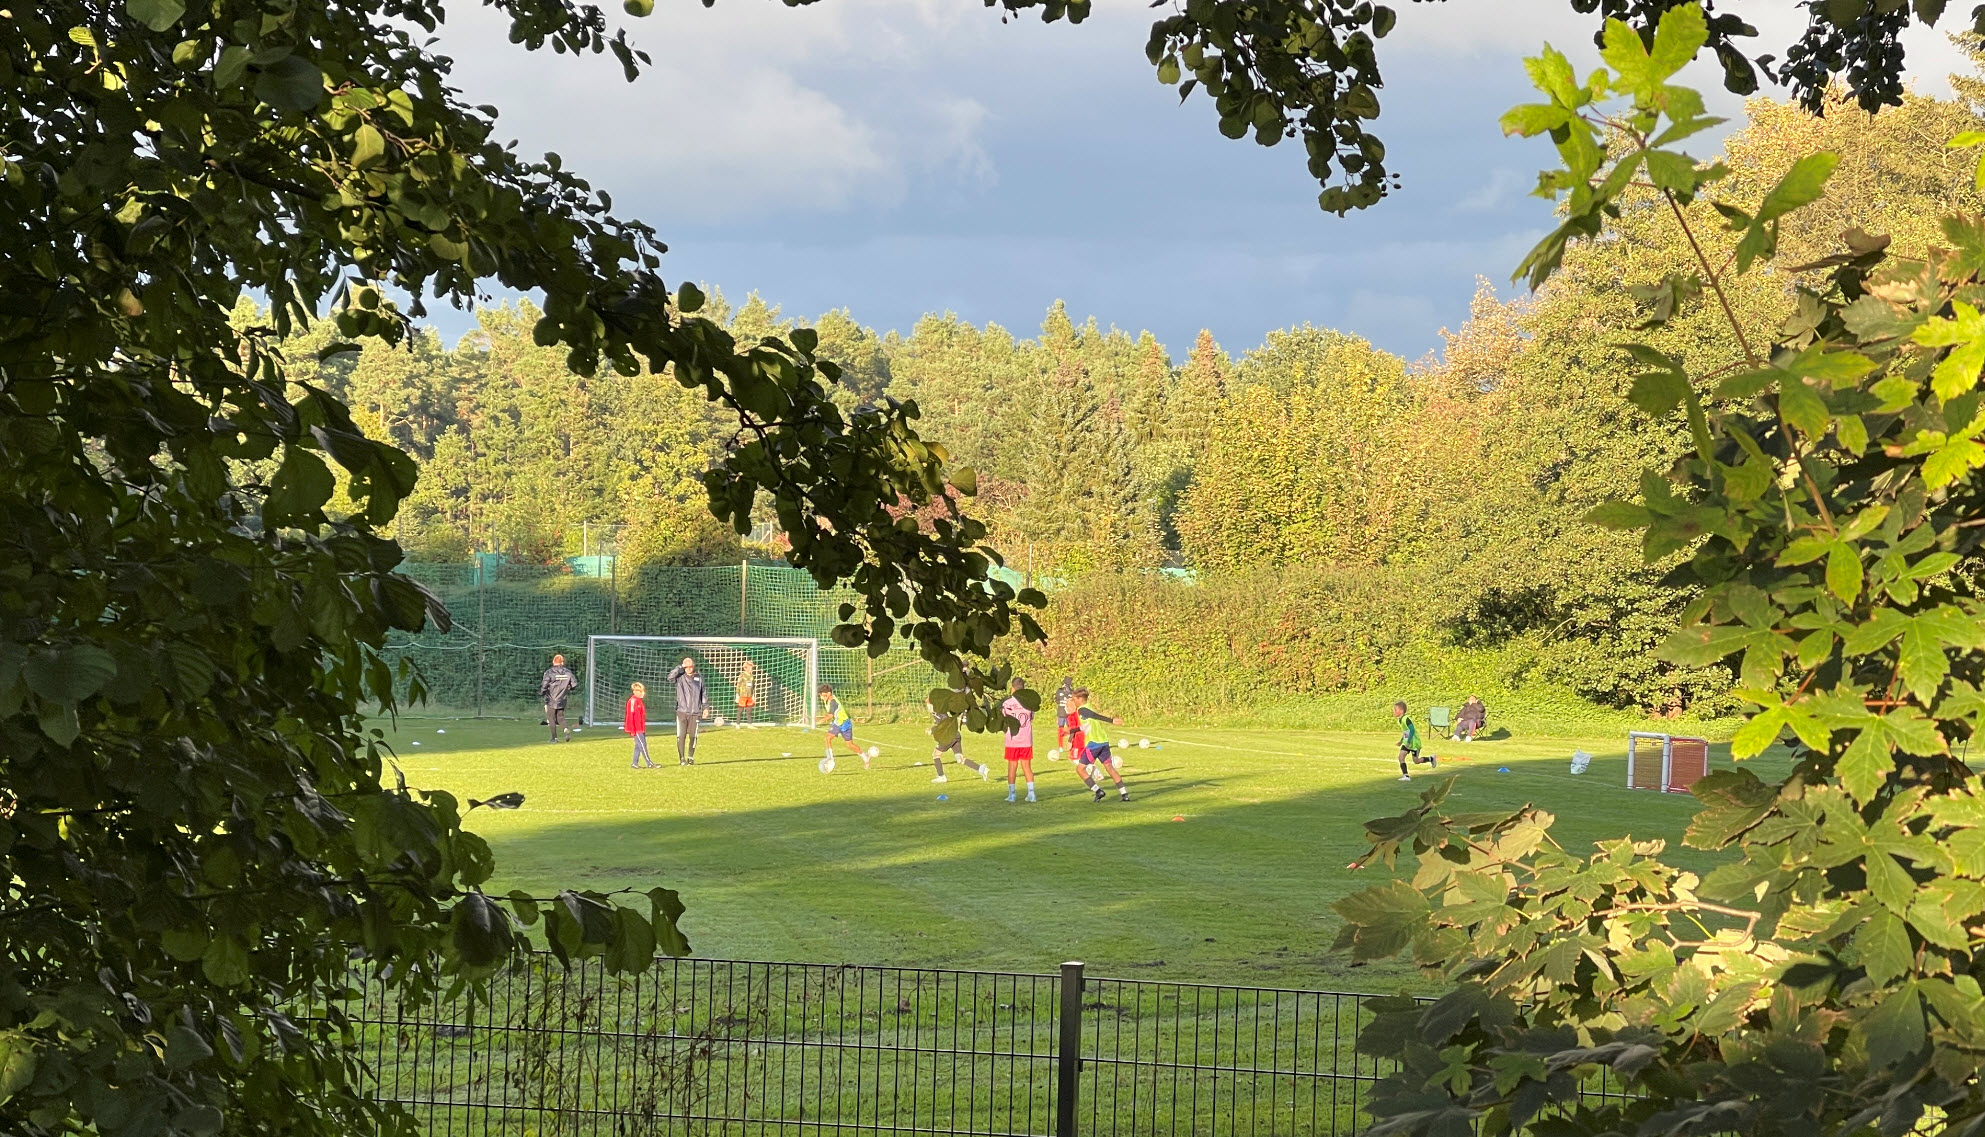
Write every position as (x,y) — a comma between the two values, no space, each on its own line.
(1331,648)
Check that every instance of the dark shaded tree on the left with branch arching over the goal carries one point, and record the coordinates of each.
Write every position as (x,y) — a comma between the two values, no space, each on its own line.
(199,832)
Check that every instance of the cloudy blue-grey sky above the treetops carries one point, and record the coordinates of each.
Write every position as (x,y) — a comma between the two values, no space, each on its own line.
(900,158)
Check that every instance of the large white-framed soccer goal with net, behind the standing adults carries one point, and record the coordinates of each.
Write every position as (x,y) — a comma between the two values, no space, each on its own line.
(781,692)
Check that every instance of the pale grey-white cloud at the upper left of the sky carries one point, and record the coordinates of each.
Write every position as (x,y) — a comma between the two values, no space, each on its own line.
(728,124)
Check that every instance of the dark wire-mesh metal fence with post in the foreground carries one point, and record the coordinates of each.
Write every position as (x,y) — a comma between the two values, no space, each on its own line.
(765,1049)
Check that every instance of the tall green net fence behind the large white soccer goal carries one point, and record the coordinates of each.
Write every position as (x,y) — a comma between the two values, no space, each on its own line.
(513,618)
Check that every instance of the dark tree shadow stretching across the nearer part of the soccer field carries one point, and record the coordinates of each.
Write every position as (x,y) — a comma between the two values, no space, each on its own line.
(1240,890)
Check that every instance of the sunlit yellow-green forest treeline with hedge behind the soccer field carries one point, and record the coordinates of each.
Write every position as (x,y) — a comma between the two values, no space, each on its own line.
(1355,521)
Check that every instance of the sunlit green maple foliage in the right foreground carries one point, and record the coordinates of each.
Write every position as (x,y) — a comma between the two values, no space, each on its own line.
(1825,977)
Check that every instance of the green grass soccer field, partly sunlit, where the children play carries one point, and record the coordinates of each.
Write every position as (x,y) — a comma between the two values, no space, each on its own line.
(1222,866)
